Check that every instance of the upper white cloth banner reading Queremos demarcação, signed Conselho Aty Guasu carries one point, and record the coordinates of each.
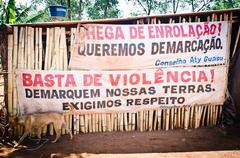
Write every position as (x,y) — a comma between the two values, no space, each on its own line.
(120,47)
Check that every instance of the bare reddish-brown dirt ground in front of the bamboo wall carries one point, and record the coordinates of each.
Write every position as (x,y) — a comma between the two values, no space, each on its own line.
(202,139)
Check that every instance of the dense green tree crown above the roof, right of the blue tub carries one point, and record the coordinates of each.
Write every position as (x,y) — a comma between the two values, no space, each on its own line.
(103,9)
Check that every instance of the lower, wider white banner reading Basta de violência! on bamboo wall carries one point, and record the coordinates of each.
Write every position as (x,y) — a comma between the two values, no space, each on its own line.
(120,91)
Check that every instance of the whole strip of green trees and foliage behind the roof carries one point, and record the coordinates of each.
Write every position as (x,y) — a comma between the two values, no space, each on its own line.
(103,9)
